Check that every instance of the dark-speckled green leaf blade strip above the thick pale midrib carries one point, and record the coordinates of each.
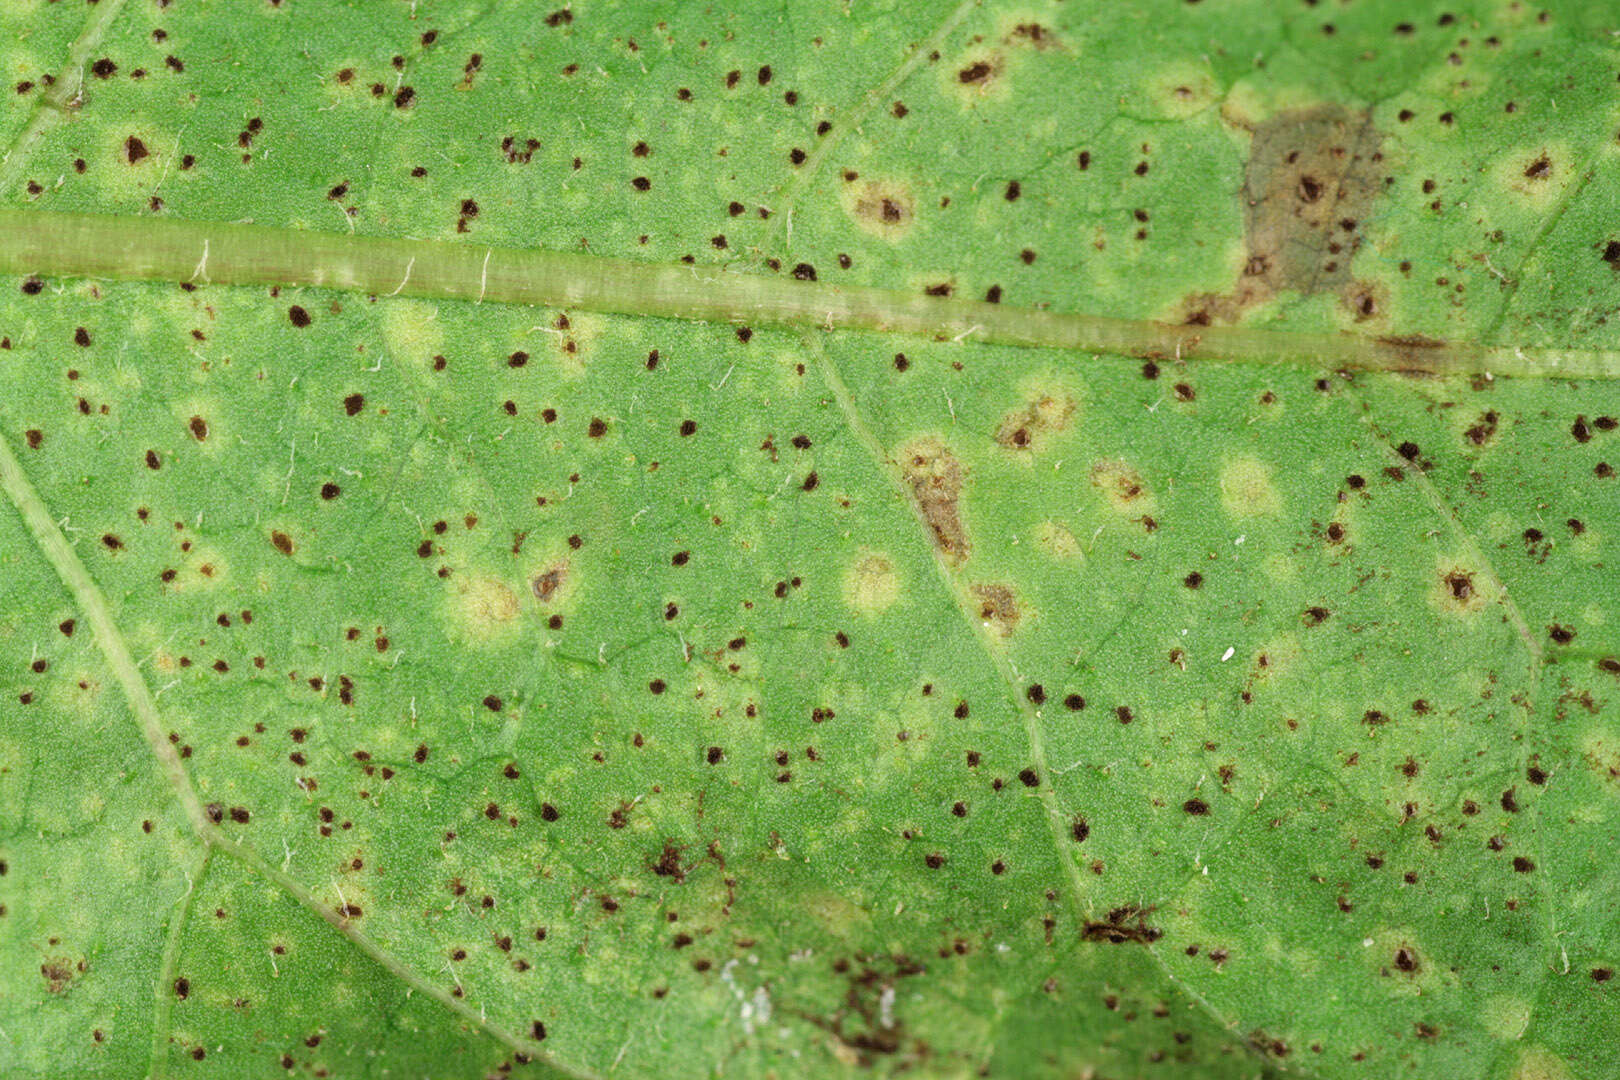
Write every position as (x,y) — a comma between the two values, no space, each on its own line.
(1412,172)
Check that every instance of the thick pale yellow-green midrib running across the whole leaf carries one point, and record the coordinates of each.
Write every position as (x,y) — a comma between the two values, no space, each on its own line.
(229,253)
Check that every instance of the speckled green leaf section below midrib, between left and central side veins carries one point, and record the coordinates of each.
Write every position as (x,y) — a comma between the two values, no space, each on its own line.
(608,695)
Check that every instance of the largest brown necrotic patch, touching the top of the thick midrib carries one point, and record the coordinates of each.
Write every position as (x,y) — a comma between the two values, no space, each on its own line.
(1311,181)
